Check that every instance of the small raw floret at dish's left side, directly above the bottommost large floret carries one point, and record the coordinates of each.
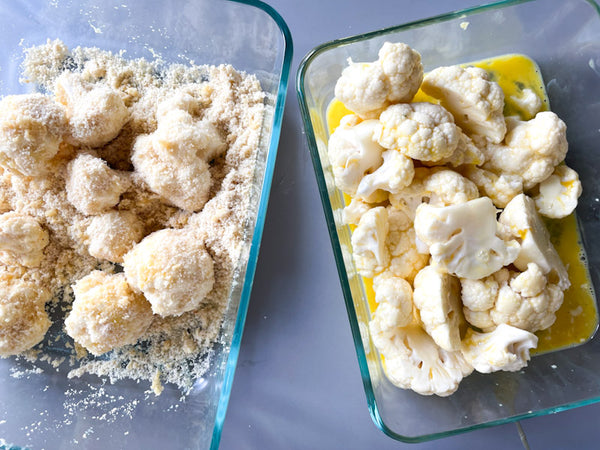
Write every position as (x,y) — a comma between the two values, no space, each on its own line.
(394,299)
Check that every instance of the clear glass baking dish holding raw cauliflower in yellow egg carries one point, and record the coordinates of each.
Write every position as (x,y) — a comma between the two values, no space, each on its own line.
(563,37)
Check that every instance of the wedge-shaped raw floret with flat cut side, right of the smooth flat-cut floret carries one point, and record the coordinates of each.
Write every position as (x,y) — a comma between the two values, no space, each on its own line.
(521,217)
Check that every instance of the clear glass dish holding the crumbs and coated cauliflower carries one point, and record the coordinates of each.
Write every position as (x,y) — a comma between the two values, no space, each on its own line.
(43,408)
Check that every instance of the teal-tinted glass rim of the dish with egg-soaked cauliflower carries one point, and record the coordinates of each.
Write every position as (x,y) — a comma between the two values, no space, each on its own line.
(335,242)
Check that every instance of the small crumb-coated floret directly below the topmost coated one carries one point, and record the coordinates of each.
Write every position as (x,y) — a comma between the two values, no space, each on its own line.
(93,187)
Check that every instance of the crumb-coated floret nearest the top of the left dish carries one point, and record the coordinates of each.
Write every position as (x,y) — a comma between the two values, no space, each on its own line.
(96,112)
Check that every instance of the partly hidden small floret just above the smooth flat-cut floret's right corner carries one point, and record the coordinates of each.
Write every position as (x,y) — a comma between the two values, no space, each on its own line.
(500,188)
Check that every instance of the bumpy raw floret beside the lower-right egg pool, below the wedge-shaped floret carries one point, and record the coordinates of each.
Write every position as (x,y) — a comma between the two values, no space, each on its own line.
(522,299)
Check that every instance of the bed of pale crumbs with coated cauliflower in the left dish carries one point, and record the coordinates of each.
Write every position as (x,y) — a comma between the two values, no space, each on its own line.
(148,180)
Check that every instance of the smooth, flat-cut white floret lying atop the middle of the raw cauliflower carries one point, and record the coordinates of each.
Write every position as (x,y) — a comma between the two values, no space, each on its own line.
(463,239)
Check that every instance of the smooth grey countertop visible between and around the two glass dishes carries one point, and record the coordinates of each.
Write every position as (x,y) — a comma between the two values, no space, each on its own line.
(297,384)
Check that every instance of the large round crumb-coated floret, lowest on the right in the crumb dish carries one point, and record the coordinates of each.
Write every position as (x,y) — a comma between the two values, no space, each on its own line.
(173,270)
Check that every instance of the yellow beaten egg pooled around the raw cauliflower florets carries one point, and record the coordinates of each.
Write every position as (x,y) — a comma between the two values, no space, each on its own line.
(577,319)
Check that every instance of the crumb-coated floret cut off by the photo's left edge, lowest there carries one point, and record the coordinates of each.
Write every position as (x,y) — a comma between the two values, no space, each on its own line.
(23,318)
